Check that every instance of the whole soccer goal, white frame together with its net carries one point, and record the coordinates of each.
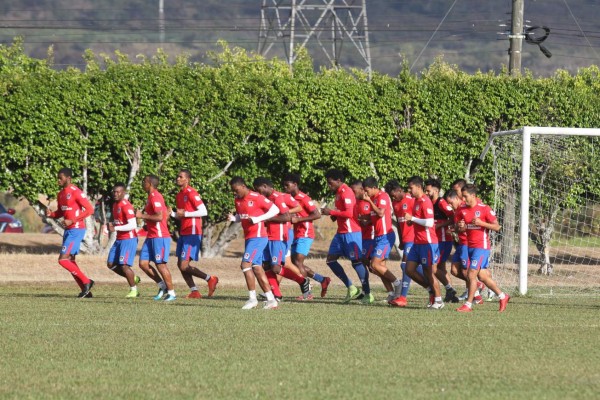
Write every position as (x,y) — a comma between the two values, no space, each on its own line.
(547,198)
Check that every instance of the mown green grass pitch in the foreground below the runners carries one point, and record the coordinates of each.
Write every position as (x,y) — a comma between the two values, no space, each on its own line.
(56,346)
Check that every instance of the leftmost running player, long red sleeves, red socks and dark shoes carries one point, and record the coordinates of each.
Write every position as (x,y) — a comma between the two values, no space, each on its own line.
(74,208)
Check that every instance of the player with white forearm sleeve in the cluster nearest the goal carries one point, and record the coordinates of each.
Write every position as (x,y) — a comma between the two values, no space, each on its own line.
(425,249)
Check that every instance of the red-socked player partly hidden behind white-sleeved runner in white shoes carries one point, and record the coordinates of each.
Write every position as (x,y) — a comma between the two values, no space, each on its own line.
(276,249)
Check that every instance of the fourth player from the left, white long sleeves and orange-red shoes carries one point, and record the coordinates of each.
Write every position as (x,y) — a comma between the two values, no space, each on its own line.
(190,210)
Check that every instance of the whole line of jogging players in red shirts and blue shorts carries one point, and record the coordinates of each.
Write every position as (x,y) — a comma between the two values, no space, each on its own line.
(278,232)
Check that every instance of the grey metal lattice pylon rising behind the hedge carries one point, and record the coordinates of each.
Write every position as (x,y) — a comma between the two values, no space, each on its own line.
(330,23)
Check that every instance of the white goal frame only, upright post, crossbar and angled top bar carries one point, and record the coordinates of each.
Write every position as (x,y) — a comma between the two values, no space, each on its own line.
(526,132)
